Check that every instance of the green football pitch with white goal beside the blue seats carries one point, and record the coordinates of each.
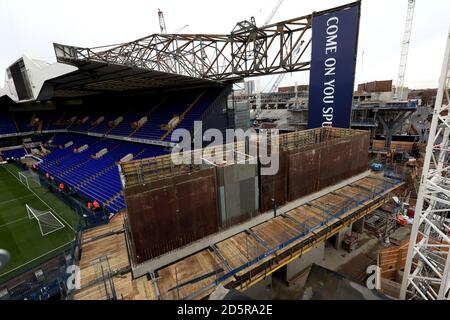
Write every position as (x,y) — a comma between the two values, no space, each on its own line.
(20,235)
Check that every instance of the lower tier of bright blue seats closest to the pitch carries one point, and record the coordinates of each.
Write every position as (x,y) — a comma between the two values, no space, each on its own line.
(94,178)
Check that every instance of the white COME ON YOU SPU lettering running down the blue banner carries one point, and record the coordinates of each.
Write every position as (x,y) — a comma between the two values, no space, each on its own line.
(330,71)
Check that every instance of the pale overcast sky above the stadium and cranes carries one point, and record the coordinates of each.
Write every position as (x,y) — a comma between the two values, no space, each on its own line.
(32,26)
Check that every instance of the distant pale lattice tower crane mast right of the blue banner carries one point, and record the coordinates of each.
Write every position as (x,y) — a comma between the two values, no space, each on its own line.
(405,48)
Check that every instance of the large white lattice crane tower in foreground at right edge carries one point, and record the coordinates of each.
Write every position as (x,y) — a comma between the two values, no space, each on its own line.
(427,269)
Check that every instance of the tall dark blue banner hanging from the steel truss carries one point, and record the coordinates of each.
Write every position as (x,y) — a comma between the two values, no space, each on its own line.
(332,73)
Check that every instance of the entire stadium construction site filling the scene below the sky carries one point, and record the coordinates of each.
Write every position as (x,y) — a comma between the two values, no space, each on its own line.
(329,190)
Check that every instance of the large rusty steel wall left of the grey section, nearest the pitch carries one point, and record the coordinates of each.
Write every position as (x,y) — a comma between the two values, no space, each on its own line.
(167,214)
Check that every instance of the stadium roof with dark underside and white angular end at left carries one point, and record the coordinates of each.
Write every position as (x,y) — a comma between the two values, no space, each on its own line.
(45,81)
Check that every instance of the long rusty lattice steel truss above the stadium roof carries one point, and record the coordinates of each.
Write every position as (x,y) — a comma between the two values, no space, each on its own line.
(252,52)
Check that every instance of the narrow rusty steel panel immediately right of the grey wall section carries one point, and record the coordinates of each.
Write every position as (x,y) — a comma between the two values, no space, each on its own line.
(275,186)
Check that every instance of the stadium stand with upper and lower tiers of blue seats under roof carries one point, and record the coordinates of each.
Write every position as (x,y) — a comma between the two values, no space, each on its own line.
(97,178)
